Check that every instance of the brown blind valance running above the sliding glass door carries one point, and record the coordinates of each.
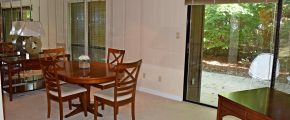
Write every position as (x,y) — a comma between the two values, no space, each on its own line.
(203,2)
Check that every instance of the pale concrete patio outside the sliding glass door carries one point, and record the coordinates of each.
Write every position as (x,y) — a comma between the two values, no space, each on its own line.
(215,83)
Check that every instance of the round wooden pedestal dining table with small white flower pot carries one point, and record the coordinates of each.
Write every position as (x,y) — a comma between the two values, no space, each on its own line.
(97,73)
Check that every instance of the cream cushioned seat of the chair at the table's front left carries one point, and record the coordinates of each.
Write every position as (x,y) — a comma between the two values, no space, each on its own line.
(69,89)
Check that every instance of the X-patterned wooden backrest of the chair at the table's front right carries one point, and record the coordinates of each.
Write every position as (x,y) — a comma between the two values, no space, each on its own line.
(126,81)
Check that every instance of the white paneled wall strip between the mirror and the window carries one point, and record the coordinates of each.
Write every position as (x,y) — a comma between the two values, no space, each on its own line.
(54,20)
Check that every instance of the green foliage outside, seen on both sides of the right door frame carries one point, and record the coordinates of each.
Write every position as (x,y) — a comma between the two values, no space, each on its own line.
(255,29)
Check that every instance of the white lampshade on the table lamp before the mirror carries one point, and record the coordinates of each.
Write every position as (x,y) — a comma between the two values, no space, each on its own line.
(27,28)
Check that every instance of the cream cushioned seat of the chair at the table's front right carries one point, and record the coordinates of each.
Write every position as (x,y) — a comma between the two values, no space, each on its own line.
(108,94)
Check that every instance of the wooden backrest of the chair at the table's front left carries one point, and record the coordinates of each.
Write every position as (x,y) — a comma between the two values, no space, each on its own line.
(49,69)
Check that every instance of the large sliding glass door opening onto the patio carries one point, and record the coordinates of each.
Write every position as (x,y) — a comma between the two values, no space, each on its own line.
(228,45)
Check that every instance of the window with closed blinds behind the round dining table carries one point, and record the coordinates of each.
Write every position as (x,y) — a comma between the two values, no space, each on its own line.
(88,29)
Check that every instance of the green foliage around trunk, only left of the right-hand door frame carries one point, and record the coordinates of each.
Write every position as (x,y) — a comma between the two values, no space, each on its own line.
(254,24)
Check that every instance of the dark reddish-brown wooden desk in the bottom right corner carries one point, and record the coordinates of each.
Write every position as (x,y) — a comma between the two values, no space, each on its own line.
(255,104)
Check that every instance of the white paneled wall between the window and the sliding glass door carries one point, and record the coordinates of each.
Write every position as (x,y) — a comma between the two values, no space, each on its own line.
(153,30)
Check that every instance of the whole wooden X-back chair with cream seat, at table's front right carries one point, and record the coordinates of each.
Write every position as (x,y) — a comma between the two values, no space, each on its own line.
(124,90)
